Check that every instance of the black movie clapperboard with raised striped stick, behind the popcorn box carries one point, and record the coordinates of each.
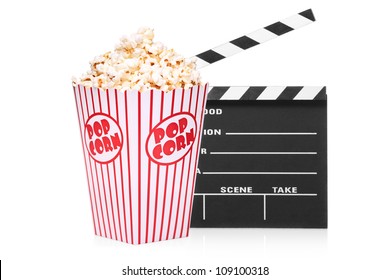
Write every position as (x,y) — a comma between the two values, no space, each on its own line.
(263,157)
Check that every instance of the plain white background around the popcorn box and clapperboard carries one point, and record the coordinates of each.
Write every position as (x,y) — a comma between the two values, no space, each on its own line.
(46,228)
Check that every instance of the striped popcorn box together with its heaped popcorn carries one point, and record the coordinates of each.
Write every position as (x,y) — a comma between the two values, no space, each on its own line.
(140,110)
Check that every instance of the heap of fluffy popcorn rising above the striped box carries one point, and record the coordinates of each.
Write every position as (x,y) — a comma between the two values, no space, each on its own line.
(139,63)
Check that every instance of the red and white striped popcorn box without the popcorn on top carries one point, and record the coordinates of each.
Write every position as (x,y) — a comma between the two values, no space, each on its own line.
(141,151)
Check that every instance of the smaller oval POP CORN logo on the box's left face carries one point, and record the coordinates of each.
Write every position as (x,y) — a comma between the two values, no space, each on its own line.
(103,137)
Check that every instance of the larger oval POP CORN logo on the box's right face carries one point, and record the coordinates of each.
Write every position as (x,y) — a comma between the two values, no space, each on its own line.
(171,139)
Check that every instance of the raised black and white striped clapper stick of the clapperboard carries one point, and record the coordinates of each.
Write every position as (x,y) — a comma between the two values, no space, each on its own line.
(255,38)
